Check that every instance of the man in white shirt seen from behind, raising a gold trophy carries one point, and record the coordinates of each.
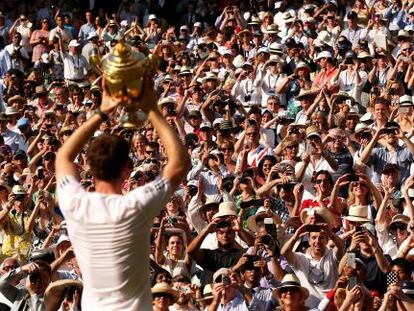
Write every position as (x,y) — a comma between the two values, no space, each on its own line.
(110,231)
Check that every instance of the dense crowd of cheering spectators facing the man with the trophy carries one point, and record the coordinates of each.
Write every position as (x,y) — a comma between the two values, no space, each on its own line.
(298,116)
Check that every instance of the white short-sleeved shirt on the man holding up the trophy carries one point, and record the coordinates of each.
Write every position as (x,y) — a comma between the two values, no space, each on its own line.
(110,234)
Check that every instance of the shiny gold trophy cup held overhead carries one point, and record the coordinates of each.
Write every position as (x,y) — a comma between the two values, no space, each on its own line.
(125,69)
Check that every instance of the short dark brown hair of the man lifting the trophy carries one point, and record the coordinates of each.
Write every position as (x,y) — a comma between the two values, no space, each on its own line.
(107,156)
